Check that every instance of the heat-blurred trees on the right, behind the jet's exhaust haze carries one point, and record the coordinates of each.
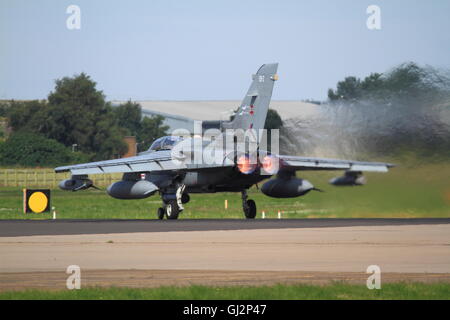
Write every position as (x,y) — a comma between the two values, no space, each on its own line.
(402,110)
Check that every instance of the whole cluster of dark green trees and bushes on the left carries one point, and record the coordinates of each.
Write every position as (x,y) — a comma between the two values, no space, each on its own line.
(74,124)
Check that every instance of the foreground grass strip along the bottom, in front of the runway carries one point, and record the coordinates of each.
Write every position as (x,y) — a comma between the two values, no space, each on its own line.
(340,291)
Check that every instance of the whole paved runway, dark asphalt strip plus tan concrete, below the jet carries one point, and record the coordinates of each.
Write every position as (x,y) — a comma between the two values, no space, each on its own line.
(36,254)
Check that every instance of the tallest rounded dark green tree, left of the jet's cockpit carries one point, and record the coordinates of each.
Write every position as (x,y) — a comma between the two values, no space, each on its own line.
(79,115)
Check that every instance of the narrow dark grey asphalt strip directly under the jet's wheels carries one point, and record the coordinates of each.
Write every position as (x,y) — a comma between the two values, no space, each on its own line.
(14,228)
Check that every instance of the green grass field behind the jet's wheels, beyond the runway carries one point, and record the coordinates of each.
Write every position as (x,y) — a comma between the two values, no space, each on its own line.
(404,192)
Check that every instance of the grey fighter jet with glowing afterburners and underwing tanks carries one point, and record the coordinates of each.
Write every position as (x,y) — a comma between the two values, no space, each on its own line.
(168,168)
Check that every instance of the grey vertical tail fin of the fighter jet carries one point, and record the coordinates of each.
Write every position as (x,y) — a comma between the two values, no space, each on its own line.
(253,110)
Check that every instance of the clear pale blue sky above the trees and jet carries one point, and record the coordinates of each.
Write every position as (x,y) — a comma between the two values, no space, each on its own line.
(208,50)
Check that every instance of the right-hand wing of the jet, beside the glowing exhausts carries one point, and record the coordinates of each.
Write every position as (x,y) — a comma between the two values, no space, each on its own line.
(306,163)
